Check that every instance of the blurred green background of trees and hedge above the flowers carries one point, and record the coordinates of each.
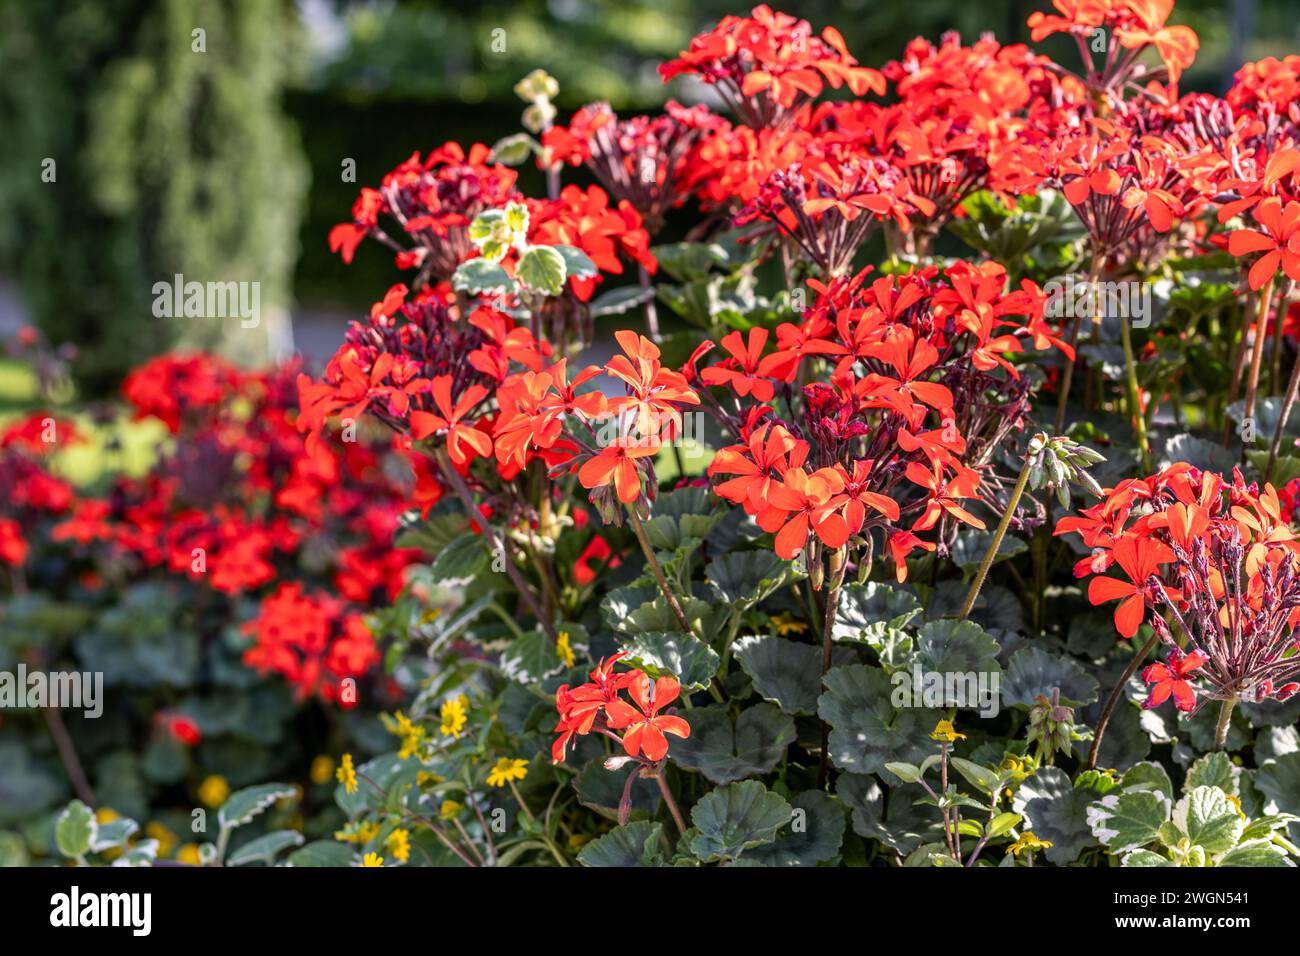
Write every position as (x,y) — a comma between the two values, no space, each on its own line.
(229,165)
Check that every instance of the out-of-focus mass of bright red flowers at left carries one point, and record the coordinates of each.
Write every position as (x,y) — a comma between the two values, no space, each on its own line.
(236,504)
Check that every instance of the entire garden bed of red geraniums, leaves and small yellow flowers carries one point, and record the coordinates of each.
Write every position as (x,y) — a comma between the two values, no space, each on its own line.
(935,508)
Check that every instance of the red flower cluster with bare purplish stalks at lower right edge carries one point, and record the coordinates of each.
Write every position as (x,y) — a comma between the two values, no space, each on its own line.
(1219,561)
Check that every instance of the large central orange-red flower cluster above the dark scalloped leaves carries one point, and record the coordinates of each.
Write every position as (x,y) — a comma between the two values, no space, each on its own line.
(892,430)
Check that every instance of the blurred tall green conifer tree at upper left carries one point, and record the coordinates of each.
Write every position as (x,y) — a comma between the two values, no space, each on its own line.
(145,139)
